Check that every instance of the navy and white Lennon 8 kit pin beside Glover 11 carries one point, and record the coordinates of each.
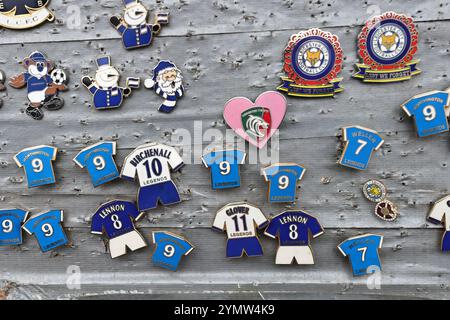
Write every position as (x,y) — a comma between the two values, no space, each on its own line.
(292,228)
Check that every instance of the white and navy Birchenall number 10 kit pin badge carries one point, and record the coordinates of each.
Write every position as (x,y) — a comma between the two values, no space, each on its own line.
(152,163)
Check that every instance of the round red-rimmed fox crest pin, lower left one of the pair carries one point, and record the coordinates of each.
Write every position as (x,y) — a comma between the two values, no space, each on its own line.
(312,62)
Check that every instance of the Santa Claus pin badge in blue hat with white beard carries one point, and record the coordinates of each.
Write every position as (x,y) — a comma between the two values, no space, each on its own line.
(167,82)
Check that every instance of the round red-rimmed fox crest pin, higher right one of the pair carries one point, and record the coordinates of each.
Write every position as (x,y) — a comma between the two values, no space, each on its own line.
(386,45)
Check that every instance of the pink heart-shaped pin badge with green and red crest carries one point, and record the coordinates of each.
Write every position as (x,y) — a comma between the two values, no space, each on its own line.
(256,121)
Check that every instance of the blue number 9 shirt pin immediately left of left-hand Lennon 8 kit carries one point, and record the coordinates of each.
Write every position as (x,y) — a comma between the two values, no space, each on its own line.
(47,228)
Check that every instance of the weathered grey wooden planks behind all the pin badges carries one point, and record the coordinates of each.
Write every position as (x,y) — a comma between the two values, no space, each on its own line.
(228,48)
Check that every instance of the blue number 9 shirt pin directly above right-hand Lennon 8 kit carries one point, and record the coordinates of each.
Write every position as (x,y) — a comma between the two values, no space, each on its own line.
(283,179)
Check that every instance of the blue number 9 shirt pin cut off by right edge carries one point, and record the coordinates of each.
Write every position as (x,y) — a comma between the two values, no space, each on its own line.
(430,111)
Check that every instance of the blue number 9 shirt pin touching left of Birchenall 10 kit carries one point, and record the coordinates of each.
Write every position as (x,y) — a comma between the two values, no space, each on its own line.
(98,159)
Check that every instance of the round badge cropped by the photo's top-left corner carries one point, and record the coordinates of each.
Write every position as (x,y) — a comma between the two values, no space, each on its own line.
(24,14)
